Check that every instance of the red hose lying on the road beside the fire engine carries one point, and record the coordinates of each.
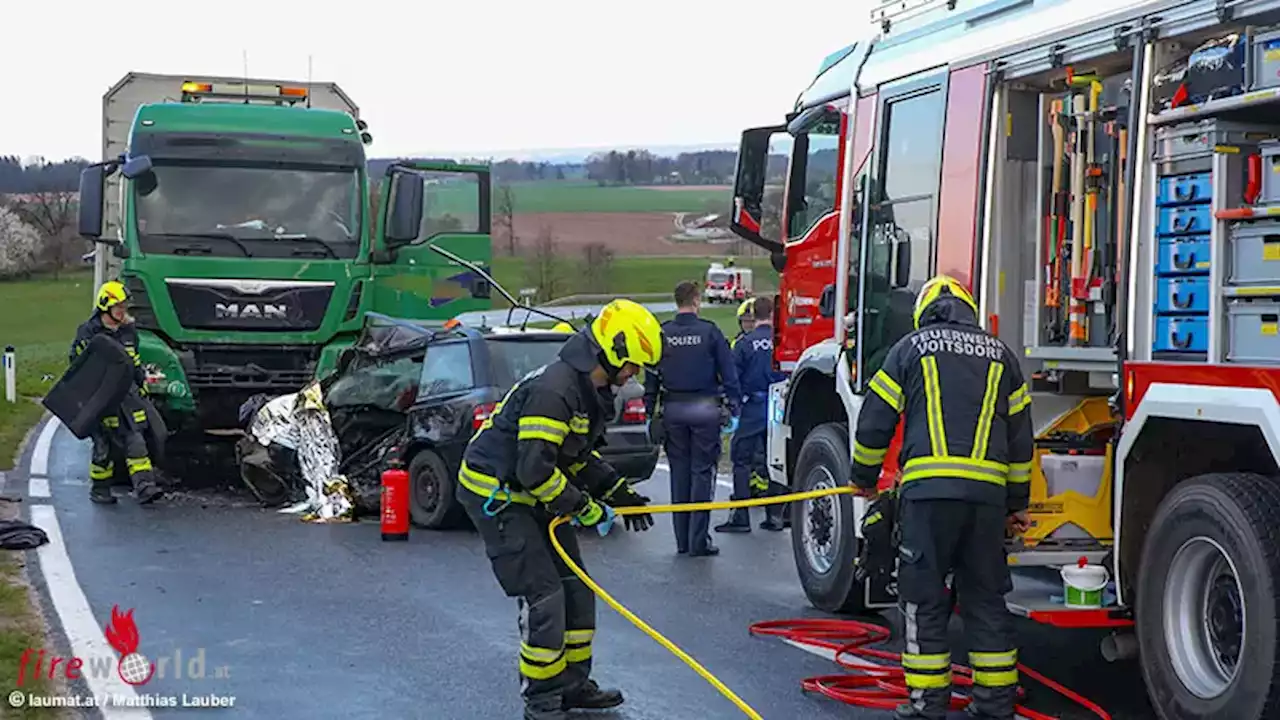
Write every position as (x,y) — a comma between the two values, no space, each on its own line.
(877,685)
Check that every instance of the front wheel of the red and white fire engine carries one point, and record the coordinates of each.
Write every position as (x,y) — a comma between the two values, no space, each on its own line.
(822,530)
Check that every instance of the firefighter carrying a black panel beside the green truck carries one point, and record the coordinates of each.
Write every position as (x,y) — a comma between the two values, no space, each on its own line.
(122,432)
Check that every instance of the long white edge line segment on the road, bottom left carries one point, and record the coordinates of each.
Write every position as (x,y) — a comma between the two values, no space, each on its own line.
(77,621)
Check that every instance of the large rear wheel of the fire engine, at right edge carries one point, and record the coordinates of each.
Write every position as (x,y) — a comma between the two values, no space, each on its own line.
(1208,600)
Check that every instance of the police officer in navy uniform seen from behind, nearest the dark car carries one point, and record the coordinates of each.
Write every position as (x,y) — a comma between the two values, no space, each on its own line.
(701,397)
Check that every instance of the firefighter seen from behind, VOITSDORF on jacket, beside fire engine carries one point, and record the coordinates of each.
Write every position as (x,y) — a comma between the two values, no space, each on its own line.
(967,454)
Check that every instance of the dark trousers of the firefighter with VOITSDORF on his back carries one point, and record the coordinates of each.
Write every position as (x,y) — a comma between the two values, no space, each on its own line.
(966,540)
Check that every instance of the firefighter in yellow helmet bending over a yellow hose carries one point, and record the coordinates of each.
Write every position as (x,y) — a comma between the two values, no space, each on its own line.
(536,459)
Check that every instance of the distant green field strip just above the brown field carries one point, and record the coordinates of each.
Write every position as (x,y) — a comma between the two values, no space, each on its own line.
(577,197)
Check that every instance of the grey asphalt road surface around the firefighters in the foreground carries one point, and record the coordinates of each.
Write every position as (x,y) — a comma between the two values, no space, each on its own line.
(301,621)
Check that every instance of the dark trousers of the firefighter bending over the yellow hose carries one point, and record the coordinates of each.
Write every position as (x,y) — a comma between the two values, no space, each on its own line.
(557,610)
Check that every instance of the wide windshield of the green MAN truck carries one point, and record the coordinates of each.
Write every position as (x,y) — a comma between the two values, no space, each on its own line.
(249,212)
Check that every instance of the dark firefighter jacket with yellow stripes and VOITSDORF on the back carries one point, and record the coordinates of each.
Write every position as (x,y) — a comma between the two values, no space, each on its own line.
(968,429)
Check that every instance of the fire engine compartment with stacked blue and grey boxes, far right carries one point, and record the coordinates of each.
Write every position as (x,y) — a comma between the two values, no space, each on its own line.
(1213,244)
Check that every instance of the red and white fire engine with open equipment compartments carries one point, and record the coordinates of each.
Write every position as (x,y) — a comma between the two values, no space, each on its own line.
(1105,176)
